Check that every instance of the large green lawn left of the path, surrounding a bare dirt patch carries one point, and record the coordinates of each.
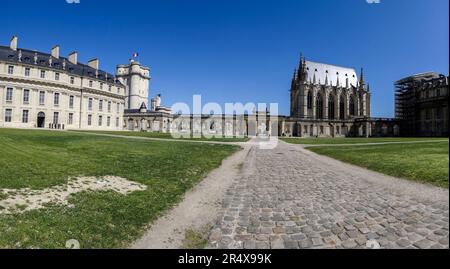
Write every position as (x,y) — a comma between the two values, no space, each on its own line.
(41,159)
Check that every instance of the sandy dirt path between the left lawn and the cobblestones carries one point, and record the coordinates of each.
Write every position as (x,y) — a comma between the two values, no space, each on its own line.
(200,207)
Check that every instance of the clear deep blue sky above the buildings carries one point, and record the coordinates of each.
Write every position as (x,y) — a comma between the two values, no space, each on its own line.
(241,50)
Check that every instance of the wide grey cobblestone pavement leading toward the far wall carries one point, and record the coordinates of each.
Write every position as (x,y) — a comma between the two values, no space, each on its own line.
(291,198)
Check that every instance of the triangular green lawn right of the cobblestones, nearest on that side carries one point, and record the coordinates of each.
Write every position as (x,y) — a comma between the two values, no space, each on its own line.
(423,162)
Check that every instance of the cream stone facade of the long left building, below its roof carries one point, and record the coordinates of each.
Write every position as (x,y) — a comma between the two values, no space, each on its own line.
(18,81)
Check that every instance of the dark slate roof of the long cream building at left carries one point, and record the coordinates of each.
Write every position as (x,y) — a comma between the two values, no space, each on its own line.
(43,60)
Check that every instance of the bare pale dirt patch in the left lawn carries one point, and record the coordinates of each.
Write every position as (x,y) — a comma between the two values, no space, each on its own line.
(22,200)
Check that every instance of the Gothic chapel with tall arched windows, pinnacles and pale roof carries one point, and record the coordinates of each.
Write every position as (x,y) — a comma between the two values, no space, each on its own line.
(328,100)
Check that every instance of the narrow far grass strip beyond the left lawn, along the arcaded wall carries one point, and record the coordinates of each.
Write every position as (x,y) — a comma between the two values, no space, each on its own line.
(168,136)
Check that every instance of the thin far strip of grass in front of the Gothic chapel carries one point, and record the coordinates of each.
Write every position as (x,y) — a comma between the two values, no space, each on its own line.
(336,141)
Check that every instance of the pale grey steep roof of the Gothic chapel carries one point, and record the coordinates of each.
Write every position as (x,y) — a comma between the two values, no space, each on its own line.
(323,73)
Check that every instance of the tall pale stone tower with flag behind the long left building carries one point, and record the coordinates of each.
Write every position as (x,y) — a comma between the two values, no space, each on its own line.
(136,78)
